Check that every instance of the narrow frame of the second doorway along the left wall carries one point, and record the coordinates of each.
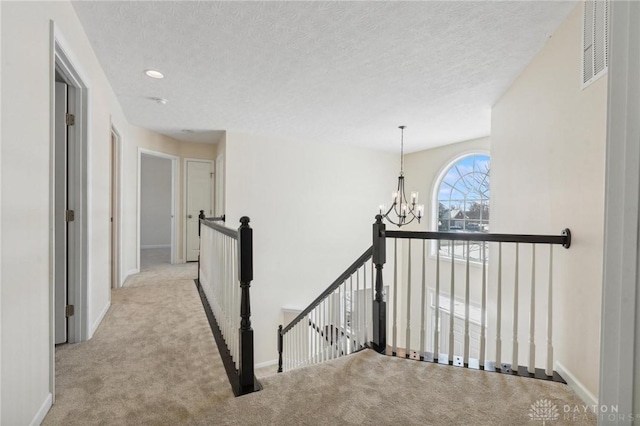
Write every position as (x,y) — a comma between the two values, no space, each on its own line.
(116,236)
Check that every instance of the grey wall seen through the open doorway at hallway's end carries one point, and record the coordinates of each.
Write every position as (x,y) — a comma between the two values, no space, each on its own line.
(155,202)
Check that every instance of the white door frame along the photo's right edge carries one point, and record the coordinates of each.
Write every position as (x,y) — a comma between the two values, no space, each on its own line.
(619,332)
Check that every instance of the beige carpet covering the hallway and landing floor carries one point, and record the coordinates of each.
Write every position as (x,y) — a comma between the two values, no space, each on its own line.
(153,361)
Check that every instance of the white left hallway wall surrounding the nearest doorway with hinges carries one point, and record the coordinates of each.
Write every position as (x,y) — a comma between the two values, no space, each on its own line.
(25,153)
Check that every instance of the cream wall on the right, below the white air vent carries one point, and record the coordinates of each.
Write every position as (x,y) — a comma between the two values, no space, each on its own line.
(547,173)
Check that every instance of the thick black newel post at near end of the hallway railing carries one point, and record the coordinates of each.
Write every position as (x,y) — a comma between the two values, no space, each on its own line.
(245,274)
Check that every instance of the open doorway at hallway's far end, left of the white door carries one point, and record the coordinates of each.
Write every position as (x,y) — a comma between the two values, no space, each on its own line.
(156,209)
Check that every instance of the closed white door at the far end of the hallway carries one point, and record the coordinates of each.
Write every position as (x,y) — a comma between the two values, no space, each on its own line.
(199,190)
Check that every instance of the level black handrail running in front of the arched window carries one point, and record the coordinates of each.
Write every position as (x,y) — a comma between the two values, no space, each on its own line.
(564,239)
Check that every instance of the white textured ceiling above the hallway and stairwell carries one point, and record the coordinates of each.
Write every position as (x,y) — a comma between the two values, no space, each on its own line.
(330,72)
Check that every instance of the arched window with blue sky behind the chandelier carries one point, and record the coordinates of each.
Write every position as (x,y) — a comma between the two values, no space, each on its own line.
(463,202)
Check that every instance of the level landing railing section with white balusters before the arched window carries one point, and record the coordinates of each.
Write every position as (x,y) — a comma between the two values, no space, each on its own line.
(446,309)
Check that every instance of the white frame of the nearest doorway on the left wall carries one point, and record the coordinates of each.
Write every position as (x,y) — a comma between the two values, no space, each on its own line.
(63,59)
